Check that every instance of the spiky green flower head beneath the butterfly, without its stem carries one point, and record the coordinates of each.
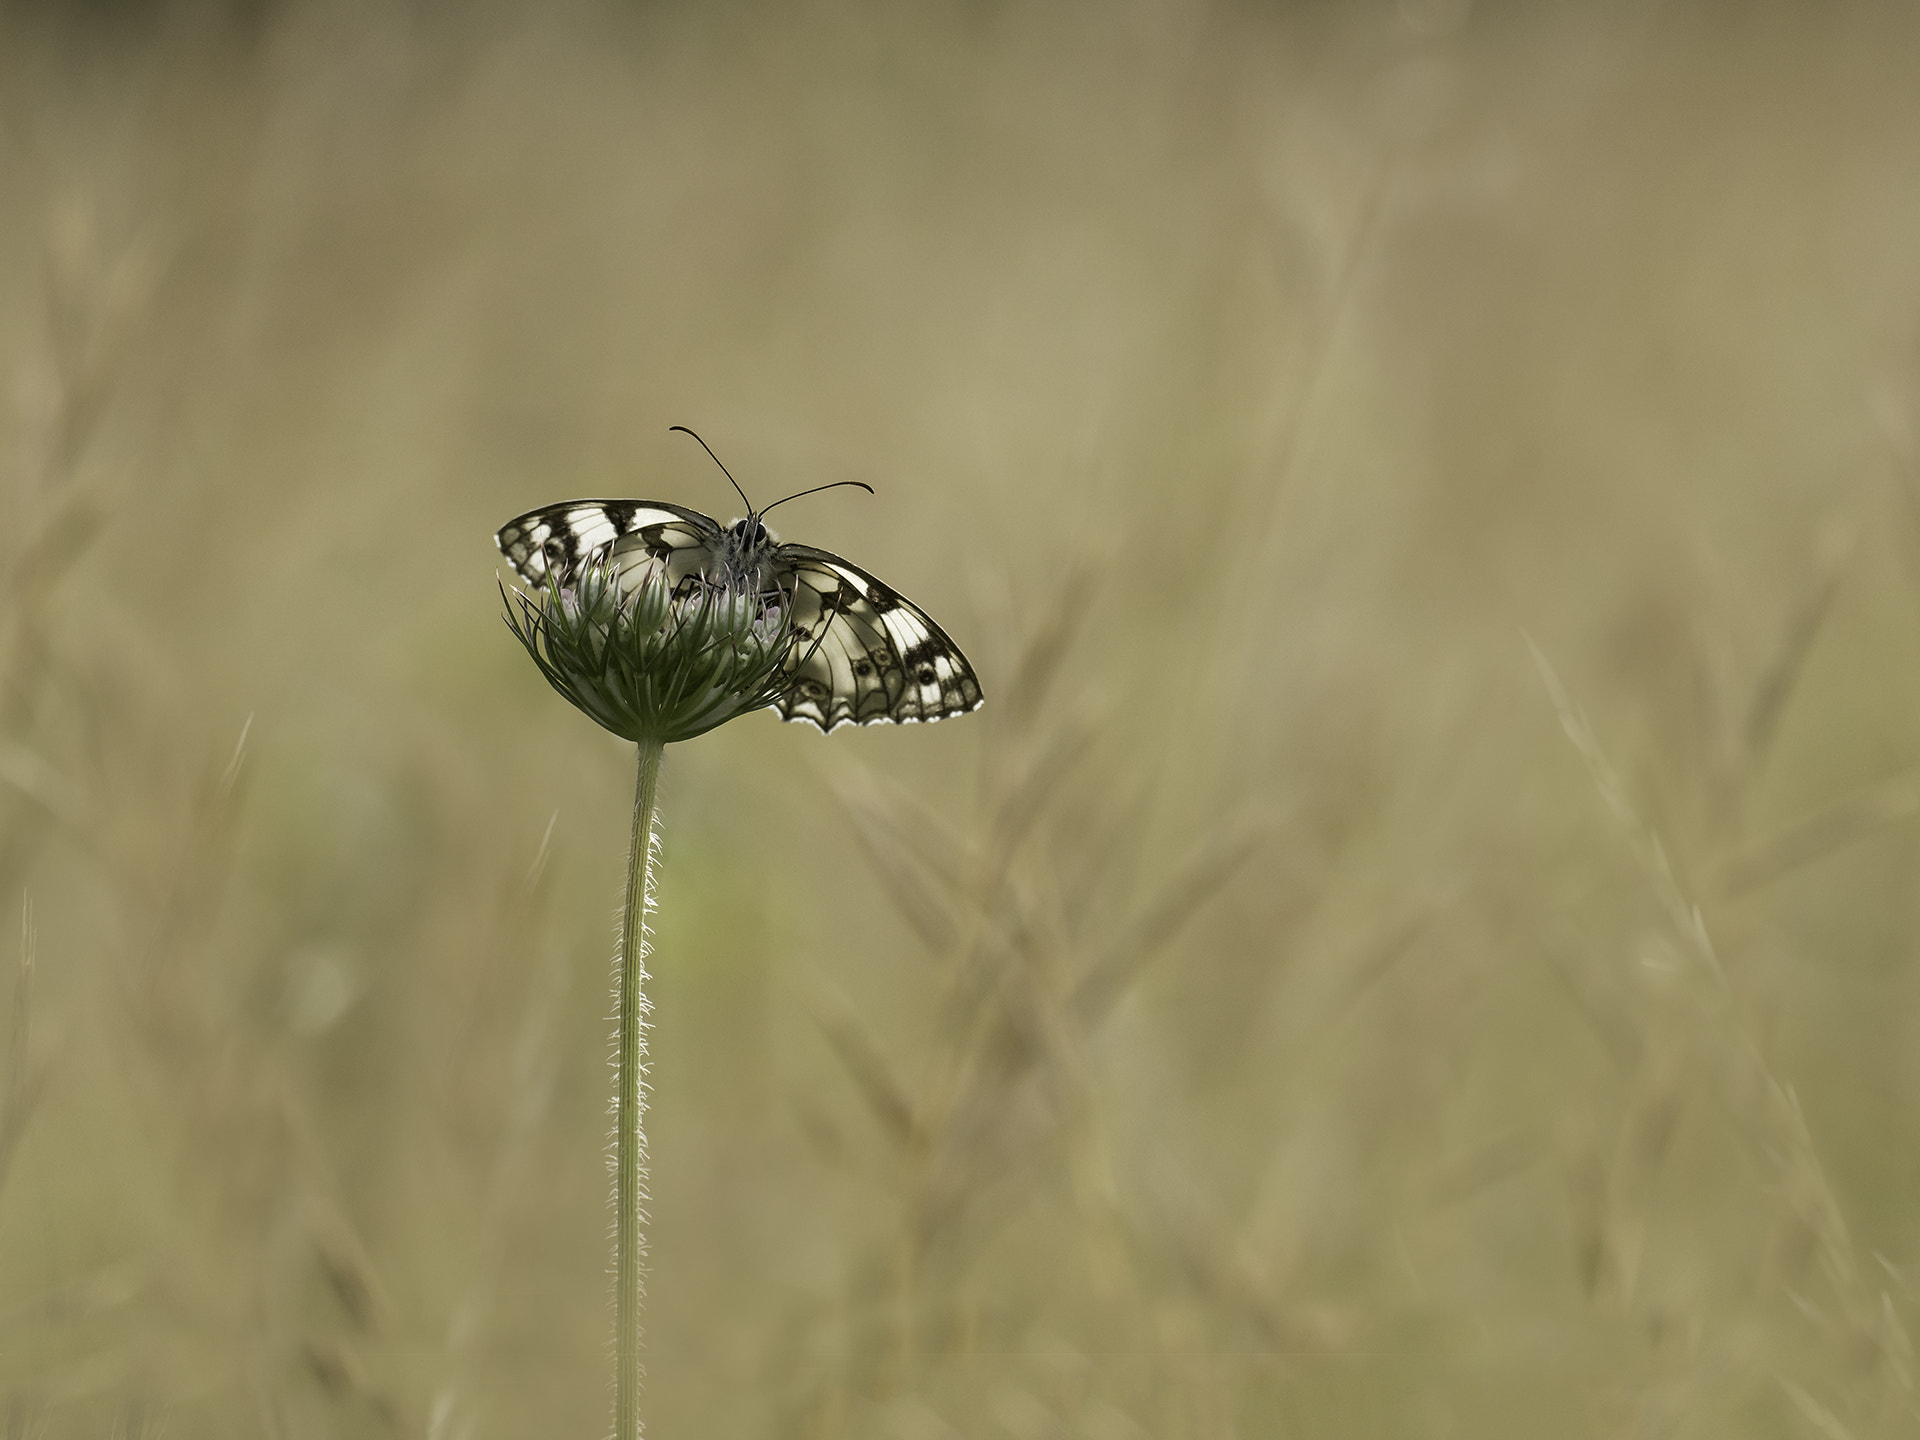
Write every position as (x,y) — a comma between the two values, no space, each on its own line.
(648,660)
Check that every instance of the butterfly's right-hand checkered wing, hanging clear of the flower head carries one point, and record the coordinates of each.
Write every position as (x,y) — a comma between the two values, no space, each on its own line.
(867,654)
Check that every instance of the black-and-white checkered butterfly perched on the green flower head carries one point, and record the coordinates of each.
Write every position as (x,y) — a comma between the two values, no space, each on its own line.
(863,652)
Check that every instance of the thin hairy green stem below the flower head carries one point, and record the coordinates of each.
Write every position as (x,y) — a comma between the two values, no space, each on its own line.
(631,1109)
